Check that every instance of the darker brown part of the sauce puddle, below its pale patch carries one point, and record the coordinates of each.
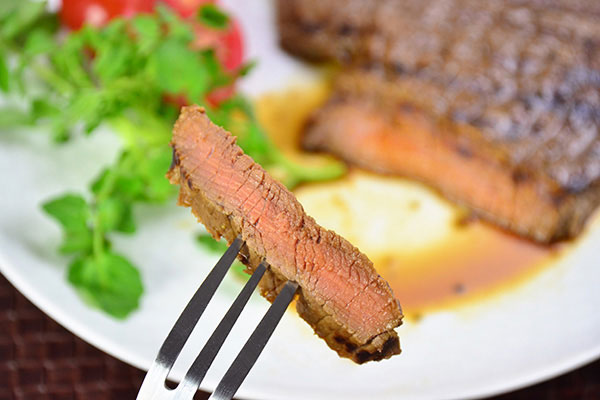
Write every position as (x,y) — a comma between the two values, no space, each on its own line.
(476,260)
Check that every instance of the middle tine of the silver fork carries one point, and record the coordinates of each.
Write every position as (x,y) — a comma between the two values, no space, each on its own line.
(197,371)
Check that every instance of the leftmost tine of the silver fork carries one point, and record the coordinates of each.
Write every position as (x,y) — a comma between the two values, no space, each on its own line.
(171,347)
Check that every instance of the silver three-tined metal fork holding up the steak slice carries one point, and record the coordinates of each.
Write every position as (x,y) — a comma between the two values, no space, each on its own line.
(154,384)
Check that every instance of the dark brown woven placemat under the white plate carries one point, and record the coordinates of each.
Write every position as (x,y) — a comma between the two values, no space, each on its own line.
(39,359)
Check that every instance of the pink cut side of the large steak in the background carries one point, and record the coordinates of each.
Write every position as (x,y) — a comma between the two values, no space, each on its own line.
(399,138)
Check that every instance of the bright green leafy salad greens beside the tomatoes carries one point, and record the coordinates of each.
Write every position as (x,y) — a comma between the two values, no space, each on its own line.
(124,75)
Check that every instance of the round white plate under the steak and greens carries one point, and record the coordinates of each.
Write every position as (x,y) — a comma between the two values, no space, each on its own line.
(542,328)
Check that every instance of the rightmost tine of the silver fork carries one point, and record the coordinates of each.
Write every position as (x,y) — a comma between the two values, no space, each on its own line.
(242,364)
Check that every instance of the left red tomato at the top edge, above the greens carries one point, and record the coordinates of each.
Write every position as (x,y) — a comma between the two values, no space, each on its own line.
(75,13)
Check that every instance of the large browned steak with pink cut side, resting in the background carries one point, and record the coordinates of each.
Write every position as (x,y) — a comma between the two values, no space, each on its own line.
(496,104)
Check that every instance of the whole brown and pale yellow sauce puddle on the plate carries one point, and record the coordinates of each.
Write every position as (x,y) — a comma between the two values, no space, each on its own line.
(424,246)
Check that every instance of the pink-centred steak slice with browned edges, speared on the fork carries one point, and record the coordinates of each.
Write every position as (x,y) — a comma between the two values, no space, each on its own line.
(340,294)
